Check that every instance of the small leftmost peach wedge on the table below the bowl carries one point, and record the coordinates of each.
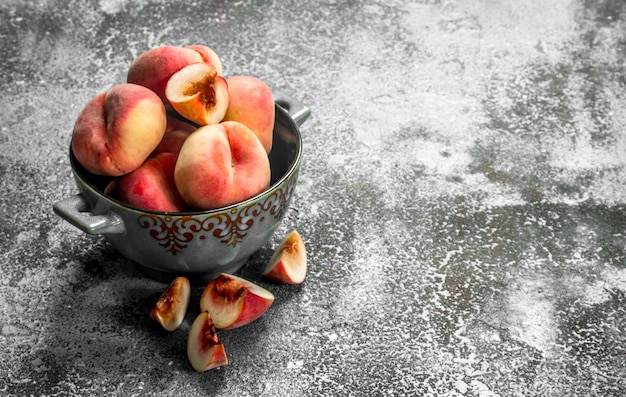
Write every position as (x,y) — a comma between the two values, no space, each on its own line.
(171,307)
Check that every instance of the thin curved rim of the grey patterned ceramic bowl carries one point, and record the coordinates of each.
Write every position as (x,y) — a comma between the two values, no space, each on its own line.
(291,169)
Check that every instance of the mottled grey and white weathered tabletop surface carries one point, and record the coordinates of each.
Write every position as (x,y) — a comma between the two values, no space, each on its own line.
(462,197)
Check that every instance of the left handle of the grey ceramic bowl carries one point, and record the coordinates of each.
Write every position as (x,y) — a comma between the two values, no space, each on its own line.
(74,210)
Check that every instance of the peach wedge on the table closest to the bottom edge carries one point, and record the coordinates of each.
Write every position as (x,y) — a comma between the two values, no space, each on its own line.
(204,350)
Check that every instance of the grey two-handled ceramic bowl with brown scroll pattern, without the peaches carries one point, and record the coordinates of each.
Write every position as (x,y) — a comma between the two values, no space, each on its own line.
(198,245)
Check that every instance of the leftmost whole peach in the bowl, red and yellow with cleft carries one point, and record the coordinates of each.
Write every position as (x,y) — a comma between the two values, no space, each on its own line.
(117,130)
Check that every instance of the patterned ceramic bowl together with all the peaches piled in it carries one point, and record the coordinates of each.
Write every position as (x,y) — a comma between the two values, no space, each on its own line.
(184,171)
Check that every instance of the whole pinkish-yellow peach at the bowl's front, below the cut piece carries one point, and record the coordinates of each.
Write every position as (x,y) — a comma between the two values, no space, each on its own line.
(221,164)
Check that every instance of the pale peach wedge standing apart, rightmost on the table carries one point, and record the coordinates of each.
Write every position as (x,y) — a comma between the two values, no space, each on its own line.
(288,263)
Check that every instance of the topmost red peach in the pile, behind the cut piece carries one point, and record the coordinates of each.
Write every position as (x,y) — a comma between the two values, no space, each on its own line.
(154,67)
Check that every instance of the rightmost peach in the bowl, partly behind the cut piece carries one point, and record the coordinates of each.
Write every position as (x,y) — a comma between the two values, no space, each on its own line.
(252,103)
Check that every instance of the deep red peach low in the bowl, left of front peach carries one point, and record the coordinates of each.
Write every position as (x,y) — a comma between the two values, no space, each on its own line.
(151,186)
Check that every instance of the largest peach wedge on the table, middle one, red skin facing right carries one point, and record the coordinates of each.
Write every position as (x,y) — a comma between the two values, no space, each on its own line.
(234,301)
